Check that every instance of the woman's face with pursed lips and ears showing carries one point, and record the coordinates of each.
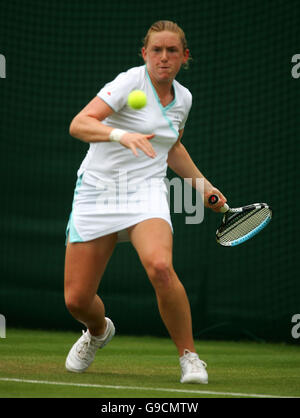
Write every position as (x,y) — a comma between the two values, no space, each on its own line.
(164,56)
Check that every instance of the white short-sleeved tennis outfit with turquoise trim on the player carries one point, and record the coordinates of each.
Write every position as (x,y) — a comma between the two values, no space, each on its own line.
(115,189)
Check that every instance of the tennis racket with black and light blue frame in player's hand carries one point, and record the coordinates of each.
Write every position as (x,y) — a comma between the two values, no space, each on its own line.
(240,224)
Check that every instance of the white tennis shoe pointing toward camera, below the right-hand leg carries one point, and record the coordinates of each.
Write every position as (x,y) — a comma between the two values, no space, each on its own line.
(193,369)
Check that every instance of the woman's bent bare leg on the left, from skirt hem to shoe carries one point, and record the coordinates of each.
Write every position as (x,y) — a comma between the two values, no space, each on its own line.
(85,263)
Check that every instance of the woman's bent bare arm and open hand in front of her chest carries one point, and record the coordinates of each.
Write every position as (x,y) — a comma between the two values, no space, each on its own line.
(87,127)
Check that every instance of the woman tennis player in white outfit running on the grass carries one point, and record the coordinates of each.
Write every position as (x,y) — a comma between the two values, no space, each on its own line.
(137,145)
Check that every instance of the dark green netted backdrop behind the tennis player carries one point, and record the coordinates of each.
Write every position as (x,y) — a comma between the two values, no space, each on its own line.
(243,133)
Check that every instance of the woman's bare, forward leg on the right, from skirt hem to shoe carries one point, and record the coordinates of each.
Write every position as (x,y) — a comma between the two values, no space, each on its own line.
(153,242)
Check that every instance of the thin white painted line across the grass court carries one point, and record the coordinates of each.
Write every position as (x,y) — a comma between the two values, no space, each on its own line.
(90,385)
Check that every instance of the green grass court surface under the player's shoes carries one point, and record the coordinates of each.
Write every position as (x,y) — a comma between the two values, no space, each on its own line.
(144,362)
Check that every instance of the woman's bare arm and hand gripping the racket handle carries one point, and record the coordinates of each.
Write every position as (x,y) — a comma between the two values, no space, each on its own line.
(181,163)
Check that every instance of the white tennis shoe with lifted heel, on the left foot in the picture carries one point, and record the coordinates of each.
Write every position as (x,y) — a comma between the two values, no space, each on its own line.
(84,350)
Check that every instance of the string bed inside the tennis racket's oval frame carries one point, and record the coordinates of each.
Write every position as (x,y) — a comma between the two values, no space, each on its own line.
(241,225)
